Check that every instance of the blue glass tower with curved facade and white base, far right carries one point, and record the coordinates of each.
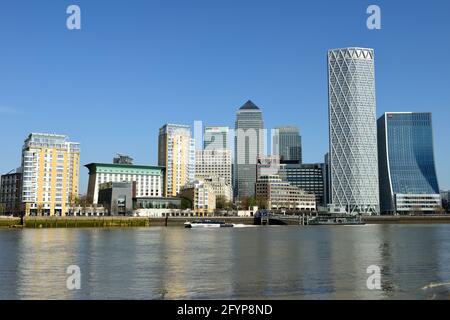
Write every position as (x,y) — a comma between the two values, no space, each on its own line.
(408,181)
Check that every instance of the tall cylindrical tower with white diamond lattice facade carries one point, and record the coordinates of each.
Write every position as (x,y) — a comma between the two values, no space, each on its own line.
(352,129)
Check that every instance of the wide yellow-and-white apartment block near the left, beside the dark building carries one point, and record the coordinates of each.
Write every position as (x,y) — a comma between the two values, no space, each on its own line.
(50,167)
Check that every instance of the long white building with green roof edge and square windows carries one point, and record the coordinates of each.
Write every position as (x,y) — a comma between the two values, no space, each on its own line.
(149,179)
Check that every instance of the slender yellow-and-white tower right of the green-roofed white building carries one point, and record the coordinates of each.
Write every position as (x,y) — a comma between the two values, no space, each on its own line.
(176,152)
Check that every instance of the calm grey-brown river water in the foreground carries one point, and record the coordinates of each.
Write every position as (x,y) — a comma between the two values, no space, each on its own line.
(276,262)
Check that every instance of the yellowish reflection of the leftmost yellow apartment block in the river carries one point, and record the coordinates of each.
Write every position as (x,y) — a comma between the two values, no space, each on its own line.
(44,256)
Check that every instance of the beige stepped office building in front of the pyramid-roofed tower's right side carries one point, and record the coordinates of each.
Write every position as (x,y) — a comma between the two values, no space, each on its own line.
(280,195)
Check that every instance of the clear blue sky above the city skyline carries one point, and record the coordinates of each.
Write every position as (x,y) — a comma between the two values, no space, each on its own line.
(136,65)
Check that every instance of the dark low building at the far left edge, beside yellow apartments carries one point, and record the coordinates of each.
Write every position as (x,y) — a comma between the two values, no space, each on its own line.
(10,193)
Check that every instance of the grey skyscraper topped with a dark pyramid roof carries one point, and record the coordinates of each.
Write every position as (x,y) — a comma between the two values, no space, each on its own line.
(249,145)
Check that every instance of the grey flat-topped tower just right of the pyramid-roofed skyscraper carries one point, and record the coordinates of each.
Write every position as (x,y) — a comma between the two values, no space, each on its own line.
(287,143)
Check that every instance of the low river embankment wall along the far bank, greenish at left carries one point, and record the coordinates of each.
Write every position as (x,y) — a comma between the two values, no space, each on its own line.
(133,222)
